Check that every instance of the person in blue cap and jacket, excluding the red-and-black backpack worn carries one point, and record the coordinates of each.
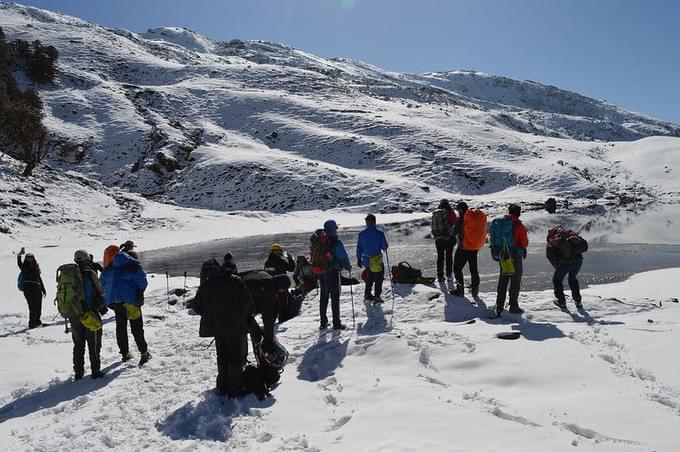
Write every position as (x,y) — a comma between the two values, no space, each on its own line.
(329,282)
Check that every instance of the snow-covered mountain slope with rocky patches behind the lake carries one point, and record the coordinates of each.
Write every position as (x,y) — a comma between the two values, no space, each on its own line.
(252,125)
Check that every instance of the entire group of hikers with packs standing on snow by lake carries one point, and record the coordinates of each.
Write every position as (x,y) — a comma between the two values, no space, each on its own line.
(228,300)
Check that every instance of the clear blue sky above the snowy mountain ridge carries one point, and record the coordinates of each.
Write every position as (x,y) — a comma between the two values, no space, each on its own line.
(624,51)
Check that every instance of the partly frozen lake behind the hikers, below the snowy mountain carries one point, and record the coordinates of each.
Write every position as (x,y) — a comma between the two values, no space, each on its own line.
(622,242)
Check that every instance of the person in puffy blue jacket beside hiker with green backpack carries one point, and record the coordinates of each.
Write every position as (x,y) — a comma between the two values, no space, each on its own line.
(124,283)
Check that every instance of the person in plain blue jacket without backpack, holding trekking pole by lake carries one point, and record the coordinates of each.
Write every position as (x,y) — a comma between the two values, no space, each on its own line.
(370,245)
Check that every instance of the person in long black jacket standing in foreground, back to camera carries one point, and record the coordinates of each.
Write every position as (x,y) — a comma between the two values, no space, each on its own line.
(224,303)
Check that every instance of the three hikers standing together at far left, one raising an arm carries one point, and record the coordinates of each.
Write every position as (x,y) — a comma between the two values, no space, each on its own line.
(86,290)
